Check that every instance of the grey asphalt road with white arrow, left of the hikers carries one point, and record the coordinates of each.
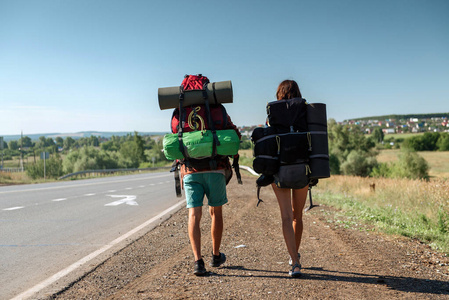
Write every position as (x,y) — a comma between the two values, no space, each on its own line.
(47,227)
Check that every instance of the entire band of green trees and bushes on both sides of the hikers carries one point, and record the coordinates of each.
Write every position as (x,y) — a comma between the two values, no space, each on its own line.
(351,152)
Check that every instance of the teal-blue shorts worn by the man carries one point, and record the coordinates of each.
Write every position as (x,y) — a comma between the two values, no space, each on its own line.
(213,185)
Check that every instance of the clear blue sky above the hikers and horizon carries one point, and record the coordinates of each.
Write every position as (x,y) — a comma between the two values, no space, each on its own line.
(68,66)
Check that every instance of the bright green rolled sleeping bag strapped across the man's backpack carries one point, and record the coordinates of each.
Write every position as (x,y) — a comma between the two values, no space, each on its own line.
(198,144)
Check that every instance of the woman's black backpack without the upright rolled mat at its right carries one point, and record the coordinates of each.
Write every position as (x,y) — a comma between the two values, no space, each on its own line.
(282,150)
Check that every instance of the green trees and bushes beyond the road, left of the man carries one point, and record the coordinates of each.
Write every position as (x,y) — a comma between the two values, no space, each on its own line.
(88,153)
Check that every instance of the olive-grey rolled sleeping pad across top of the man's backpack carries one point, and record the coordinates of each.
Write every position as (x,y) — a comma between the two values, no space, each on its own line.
(217,92)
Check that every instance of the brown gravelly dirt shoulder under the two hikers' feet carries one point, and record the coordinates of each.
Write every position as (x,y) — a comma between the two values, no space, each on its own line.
(338,262)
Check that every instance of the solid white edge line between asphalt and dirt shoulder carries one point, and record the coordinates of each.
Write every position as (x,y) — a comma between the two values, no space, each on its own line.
(91,256)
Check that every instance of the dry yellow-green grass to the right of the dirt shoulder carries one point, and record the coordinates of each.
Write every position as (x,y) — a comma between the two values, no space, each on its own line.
(411,208)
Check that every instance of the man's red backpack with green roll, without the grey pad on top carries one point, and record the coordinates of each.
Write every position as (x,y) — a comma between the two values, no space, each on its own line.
(199,132)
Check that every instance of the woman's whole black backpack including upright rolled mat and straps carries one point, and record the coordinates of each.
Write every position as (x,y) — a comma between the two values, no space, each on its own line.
(293,150)
